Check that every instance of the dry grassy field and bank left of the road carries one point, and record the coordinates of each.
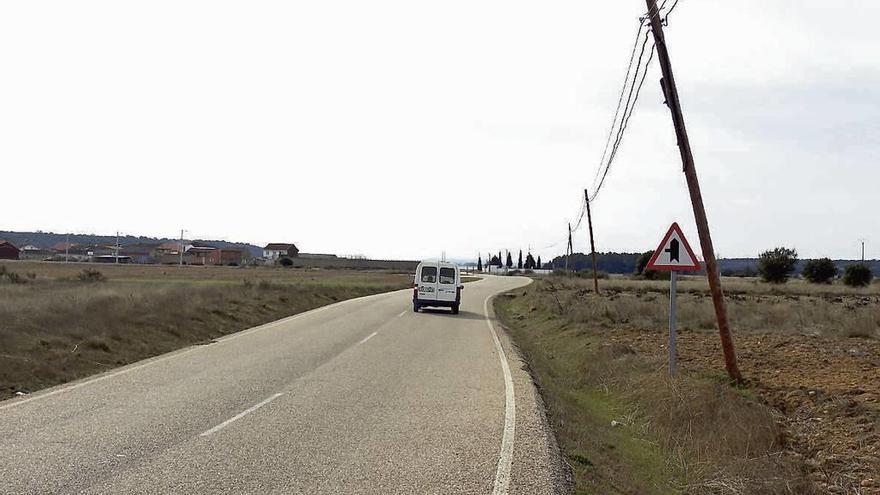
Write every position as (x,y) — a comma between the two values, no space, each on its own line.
(55,327)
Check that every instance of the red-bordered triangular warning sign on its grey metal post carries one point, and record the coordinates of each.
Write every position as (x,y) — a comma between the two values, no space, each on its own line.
(673,255)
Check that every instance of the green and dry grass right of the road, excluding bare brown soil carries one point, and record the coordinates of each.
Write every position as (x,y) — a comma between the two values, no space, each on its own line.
(694,434)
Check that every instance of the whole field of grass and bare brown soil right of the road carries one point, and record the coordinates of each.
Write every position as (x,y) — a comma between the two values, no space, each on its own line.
(808,422)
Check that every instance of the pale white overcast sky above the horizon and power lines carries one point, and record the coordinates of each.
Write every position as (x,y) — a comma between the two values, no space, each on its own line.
(402,129)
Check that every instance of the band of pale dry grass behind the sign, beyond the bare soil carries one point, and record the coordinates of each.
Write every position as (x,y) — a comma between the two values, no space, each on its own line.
(795,308)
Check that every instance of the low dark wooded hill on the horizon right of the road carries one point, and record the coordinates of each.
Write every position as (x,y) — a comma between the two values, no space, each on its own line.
(626,263)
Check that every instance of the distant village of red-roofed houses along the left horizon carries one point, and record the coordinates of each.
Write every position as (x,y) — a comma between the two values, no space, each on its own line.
(167,253)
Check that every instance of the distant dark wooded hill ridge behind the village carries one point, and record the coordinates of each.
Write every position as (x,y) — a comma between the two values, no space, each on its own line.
(45,240)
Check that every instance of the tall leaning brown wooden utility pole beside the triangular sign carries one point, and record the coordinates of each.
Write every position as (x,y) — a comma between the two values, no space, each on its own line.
(690,172)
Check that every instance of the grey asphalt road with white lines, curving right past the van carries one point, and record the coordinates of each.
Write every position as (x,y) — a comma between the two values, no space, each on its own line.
(363,396)
